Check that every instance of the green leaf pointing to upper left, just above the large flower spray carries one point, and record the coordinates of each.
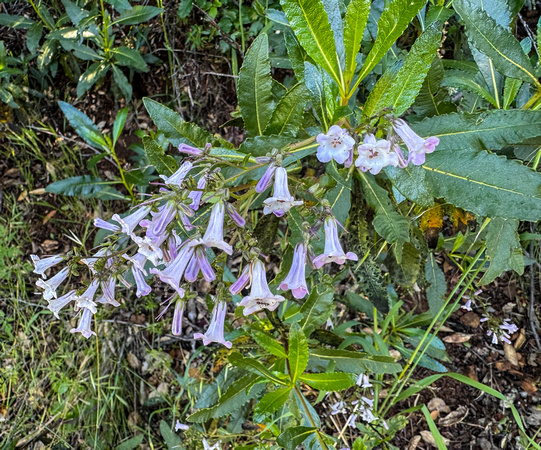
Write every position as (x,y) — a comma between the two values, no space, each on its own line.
(175,129)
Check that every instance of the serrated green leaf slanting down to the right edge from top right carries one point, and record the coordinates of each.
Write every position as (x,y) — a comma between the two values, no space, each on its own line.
(496,42)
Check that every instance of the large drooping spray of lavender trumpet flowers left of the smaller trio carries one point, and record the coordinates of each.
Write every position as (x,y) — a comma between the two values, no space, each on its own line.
(178,236)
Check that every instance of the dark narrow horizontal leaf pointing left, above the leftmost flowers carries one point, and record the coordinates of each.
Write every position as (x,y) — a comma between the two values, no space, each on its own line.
(86,186)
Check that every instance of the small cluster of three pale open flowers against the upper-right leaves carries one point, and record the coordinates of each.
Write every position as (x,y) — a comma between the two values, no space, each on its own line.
(375,154)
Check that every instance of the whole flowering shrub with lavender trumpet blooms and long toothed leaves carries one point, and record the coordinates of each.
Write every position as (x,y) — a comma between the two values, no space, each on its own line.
(321,174)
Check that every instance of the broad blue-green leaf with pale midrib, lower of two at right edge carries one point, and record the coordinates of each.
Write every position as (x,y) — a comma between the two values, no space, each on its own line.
(485,184)
